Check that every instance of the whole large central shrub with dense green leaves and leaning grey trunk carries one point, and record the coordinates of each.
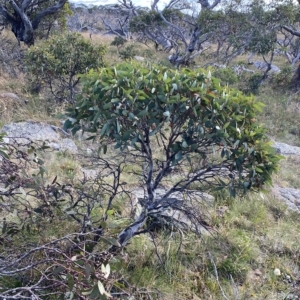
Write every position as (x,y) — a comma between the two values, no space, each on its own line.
(207,131)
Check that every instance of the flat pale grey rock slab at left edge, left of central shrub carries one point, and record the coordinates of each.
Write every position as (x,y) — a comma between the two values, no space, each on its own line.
(25,132)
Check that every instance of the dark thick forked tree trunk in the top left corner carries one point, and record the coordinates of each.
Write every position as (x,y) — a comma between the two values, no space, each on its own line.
(24,19)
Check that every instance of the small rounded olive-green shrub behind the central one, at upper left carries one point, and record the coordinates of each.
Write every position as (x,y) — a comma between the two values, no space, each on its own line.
(56,63)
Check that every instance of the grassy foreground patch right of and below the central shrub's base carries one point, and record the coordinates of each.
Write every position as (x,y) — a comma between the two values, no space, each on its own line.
(247,242)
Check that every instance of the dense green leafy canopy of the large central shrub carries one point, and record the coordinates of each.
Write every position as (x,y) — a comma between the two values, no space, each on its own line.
(128,103)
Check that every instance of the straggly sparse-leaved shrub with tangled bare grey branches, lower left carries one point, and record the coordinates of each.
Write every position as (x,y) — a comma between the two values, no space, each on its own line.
(47,239)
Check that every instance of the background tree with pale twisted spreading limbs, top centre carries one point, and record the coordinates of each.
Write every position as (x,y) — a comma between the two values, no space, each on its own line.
(173,27)
